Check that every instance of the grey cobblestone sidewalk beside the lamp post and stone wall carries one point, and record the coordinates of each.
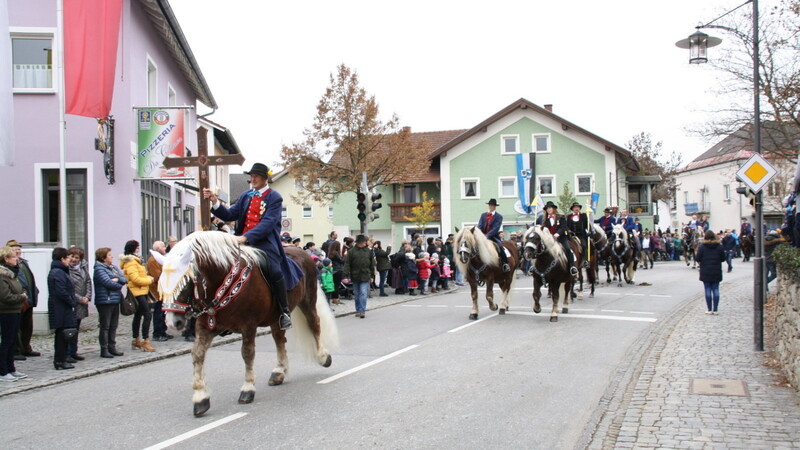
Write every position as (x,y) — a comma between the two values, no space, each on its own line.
(696,382)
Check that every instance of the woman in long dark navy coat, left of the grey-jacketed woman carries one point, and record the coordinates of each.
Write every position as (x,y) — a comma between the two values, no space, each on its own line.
(61,304)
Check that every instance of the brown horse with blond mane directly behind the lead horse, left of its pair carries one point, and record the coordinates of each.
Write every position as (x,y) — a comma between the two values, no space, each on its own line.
(479,260)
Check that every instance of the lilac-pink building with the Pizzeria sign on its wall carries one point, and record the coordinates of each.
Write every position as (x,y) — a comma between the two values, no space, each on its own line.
(154,67)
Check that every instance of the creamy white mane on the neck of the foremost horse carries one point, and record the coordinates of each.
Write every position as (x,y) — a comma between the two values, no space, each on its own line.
(220,250)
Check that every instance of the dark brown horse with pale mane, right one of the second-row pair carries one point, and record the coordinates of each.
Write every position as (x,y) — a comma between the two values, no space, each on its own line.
(549,268)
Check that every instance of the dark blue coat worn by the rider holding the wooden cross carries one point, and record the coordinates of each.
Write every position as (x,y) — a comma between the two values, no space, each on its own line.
(266,236)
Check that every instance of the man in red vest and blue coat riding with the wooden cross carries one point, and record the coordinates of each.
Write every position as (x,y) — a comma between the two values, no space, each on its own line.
(258,223)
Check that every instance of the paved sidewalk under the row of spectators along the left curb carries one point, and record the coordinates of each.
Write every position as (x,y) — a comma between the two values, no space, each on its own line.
(41,373)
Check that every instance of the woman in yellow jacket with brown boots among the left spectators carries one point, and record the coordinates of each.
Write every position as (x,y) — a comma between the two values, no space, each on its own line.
(139,285)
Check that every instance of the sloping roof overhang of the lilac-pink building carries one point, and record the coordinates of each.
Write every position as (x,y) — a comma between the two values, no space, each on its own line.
(167,27)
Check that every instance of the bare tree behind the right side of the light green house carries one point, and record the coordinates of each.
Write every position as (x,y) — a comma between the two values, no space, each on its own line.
(651,162)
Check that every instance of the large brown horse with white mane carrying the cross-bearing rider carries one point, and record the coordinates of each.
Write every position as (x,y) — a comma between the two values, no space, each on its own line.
(223,286)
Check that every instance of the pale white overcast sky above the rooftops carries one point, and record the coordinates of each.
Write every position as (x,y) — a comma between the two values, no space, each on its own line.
(610,67)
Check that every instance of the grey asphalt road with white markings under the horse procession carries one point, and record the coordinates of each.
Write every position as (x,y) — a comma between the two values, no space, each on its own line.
(412,375)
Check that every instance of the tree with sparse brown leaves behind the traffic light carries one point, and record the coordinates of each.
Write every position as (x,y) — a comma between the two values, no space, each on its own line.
(346,139)
